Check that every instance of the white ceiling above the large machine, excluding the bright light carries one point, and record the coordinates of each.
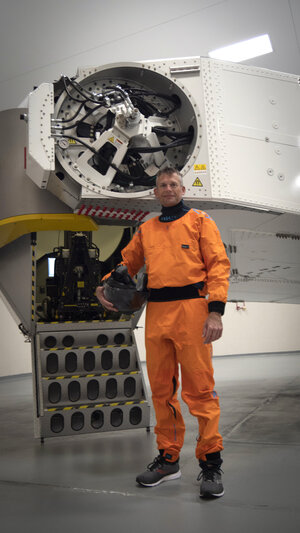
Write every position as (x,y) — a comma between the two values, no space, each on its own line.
(41,39)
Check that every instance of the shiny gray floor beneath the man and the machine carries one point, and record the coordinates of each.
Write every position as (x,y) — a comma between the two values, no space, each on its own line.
(88,484)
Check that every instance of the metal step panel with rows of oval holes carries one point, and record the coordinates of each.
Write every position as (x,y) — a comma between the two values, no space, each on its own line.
(88,379)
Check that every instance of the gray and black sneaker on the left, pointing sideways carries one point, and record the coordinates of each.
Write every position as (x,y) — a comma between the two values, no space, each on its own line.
(158,471)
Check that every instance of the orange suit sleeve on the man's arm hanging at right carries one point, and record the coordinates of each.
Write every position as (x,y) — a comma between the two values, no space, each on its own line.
(217,264)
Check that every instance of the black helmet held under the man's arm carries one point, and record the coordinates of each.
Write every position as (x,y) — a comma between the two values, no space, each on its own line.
(123,293)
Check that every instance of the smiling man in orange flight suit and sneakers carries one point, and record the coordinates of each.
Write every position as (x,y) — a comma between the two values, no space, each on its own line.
(188,272)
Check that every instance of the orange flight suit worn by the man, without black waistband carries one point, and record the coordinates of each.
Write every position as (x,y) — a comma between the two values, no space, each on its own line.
(176,254)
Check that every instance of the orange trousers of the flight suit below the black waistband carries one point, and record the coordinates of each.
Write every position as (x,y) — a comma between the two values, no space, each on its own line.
(174,335)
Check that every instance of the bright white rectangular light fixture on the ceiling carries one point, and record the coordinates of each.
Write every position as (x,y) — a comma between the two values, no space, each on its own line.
(258,46)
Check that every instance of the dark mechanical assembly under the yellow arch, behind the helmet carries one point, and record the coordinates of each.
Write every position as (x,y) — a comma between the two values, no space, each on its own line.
(69,292)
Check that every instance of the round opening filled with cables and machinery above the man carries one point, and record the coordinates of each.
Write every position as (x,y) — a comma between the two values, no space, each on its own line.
(116,128)
